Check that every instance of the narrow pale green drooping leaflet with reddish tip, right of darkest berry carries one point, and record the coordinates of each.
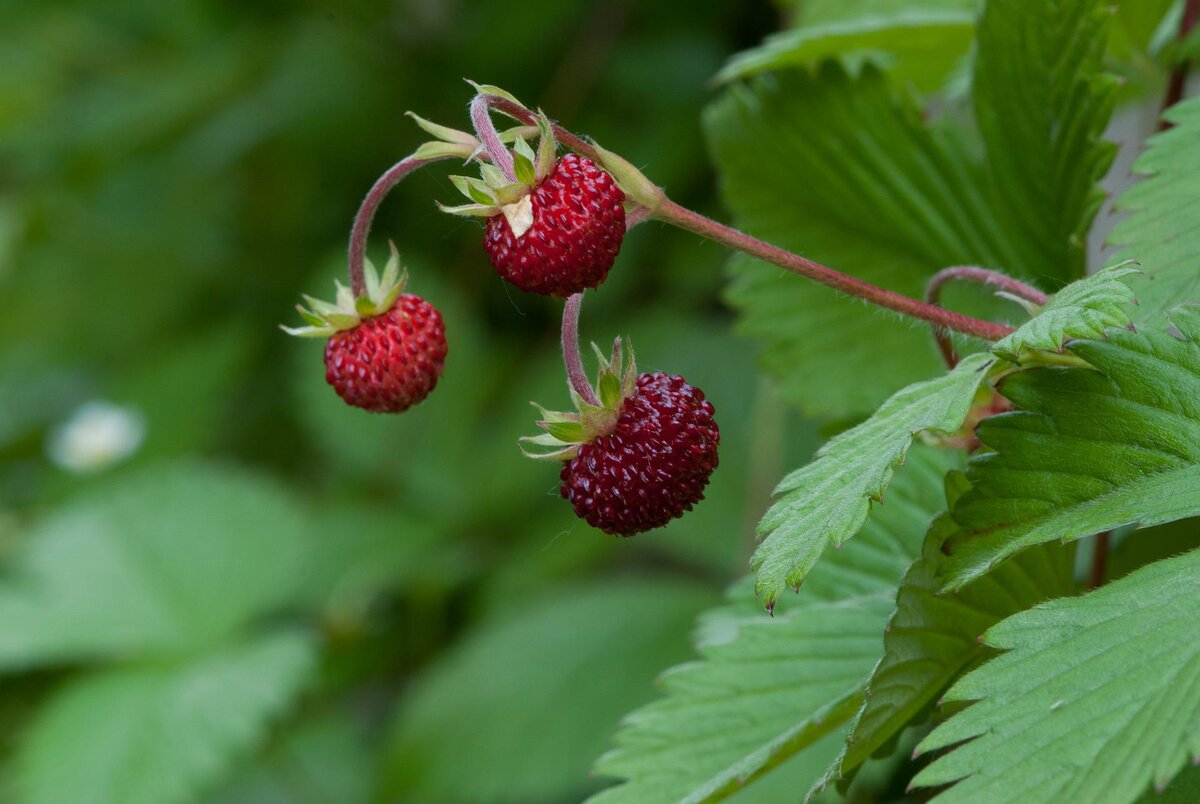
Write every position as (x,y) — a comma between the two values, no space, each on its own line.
(827,502)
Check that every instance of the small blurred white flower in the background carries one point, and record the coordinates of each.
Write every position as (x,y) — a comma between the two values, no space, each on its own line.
(97,436)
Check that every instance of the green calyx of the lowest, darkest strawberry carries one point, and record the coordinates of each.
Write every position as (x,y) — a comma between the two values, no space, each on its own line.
(567,431)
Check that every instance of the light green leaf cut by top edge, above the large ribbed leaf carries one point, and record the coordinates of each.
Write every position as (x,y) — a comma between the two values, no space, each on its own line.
(917,43)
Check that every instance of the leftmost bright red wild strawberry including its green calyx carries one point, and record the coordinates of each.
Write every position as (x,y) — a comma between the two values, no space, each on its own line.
(386,350)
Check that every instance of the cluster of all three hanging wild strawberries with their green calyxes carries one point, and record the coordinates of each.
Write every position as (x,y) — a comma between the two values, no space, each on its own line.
(640,449)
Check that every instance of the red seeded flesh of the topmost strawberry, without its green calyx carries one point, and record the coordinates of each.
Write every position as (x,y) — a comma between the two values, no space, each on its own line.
(579,224)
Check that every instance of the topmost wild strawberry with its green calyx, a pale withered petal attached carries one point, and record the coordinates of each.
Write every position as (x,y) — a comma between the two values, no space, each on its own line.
(559,229)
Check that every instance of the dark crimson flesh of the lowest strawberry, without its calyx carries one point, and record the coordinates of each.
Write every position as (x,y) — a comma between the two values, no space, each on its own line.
(653,466)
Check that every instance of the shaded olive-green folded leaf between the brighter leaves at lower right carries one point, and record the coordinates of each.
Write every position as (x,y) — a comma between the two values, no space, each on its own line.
(932,638)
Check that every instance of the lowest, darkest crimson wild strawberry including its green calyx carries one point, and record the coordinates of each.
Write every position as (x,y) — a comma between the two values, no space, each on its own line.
(643,458)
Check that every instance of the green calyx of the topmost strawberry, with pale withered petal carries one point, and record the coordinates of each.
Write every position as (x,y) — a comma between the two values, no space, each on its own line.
(494,194)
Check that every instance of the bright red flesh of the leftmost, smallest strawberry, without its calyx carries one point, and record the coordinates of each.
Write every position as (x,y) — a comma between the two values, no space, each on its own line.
(392,362)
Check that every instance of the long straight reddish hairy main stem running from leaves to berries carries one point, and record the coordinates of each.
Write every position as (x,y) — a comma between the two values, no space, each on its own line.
(676,215)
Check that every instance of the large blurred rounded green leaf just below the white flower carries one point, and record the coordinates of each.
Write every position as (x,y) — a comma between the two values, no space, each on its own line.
(166,561)
